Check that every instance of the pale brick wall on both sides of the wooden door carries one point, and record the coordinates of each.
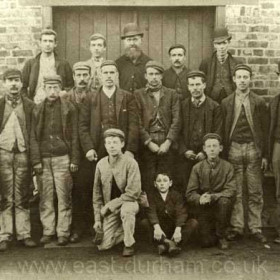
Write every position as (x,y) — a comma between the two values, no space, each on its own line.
(255,31)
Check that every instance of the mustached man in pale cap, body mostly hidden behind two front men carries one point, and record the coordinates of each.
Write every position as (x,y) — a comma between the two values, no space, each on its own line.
(82,179)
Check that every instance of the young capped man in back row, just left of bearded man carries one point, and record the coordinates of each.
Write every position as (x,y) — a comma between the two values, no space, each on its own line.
(97,47)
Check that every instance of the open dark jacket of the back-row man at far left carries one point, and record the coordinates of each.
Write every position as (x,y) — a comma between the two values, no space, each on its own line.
(30,74)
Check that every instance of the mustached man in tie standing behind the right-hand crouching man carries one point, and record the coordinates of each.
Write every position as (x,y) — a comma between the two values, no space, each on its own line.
(200,115)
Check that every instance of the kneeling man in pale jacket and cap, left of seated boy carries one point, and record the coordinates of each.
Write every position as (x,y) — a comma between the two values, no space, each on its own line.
(117,186)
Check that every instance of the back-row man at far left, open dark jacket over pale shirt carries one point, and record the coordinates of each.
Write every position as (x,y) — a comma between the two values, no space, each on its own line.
(45,63)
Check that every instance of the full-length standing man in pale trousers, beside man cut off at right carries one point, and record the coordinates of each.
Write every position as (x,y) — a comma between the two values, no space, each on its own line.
(246,126)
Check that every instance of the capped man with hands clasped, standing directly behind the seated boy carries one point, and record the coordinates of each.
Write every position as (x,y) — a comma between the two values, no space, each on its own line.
(159,124)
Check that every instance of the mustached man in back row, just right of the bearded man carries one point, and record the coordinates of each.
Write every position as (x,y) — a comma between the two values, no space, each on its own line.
(176,76)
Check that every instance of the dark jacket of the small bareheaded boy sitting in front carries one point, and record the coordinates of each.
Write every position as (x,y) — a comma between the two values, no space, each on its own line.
(174,206)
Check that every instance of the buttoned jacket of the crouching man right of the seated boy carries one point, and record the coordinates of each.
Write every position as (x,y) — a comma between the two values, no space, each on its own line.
(218,181)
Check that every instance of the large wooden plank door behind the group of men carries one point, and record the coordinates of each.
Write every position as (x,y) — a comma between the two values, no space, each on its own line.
(162,27)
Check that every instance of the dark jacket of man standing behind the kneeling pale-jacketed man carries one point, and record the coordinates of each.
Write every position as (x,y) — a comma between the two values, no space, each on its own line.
(90,126)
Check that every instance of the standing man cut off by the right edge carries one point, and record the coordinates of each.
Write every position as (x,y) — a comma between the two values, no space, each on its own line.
(274,151)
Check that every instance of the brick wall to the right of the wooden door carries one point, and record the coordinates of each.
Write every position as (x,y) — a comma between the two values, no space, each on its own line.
(256,40)
